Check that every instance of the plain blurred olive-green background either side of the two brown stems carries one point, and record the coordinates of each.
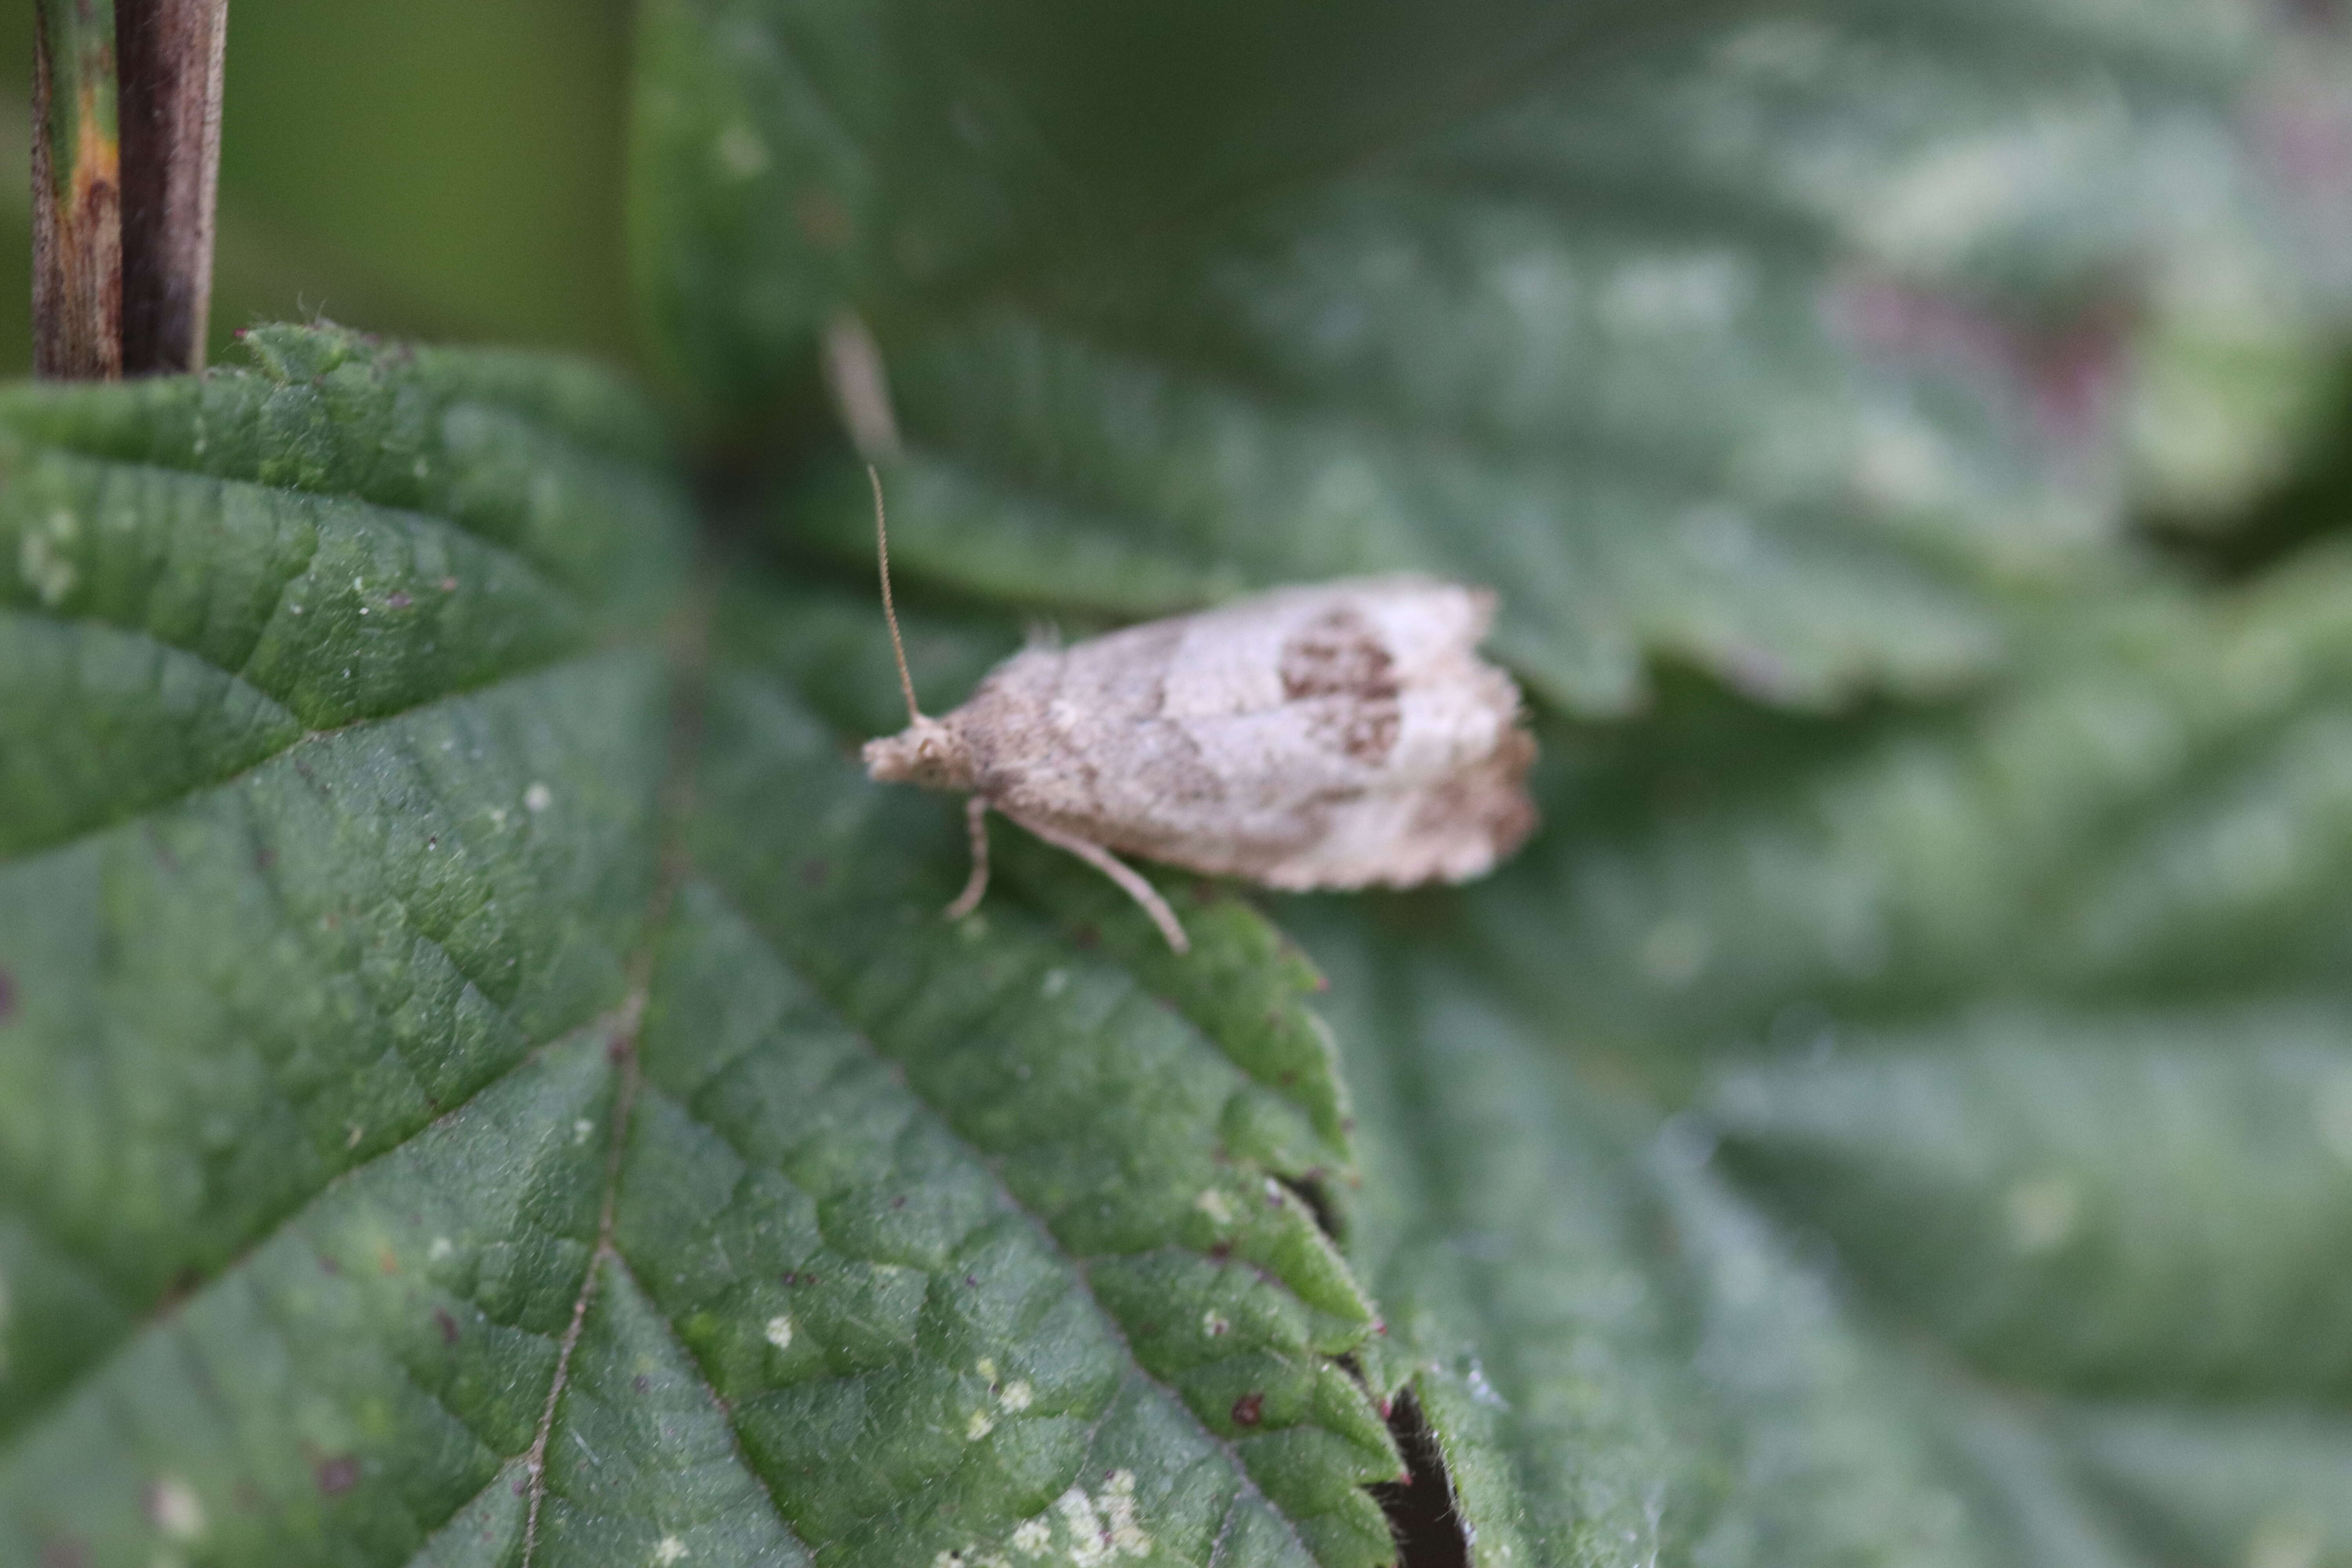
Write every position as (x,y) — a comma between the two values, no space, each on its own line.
(432,168)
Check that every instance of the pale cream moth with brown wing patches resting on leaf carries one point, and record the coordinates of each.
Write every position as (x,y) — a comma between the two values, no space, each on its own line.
(1330,737)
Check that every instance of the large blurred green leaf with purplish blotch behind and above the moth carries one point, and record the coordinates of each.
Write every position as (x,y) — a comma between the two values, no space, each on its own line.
(1716,344)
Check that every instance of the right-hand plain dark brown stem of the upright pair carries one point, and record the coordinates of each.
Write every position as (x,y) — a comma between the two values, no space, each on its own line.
(171,58)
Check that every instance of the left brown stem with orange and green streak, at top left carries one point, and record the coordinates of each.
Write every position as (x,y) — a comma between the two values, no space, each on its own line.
(76,194)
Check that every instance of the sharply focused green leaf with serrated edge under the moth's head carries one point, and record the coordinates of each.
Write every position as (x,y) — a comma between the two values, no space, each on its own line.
(523,1106)
